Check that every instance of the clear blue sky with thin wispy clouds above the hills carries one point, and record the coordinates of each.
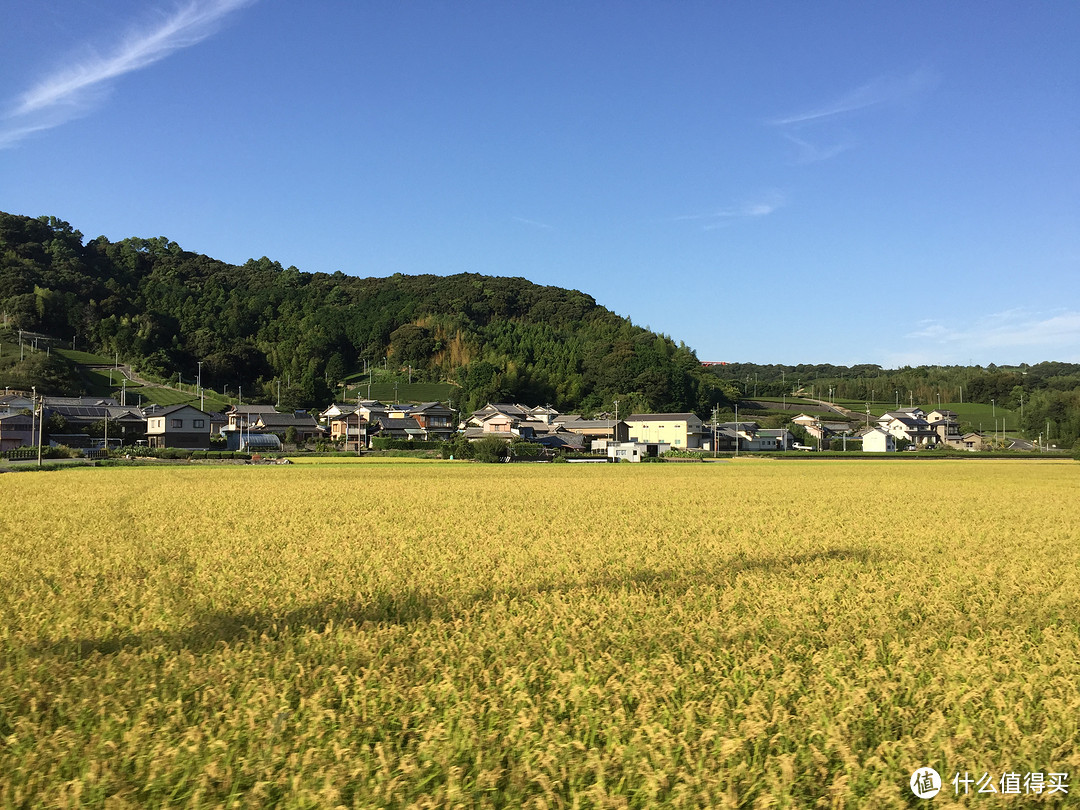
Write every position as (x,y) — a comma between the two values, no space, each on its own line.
(774,183)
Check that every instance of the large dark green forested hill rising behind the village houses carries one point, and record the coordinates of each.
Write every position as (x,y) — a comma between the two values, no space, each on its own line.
(165,309)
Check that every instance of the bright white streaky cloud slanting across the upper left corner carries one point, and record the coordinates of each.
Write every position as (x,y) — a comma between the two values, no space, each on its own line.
(74,90)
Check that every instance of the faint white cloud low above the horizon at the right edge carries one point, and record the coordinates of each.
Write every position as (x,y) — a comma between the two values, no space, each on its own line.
(1008,333)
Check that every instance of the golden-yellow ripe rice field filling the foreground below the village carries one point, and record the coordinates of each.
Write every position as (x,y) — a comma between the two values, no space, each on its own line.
(445,634)
